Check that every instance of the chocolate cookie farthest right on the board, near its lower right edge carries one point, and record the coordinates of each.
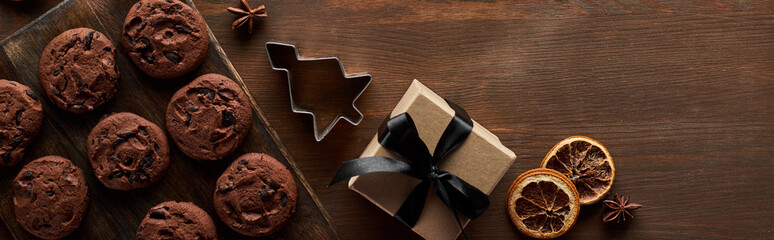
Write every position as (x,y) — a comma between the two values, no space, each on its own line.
(256,195)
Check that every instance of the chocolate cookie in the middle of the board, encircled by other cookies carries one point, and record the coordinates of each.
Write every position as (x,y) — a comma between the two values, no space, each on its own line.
(127,151)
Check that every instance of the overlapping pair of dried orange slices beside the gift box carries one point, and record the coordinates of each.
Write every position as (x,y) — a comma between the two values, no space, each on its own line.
(544,203)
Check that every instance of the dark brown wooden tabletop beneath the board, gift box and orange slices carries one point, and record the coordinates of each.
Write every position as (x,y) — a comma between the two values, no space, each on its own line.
(681,93)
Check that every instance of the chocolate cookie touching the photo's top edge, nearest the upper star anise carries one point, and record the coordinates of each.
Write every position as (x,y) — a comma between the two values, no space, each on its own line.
(165,38)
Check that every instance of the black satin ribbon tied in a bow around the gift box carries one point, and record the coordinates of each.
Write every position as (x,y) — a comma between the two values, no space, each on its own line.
(399,135)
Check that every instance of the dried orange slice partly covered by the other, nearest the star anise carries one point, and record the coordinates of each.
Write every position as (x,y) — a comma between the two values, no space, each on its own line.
(586,163)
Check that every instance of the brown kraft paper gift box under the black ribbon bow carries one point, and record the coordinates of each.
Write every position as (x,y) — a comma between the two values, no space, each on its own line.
(481,161)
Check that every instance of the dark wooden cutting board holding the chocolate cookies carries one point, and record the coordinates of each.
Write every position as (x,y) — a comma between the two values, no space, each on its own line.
(116,214)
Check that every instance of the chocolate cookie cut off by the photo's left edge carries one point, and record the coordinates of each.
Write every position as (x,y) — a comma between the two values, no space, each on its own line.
(20,120)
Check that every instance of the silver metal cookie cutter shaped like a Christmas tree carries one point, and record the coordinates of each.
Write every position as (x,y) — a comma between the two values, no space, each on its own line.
(319,87)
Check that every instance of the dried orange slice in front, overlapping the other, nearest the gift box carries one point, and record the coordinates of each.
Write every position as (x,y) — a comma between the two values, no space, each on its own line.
(543,203)
